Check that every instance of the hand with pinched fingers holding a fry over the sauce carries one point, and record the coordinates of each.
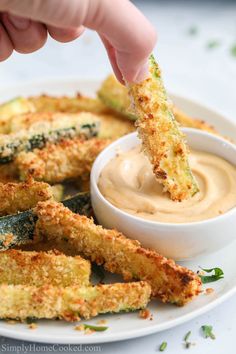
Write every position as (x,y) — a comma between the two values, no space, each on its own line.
(128,36)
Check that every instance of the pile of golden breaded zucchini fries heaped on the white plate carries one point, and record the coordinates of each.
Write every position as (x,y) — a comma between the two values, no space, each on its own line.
(47,143)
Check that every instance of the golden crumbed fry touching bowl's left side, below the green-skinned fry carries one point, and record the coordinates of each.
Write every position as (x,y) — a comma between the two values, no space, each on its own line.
(58,162)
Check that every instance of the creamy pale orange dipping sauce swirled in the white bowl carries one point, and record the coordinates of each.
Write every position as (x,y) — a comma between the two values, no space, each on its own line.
(128,182)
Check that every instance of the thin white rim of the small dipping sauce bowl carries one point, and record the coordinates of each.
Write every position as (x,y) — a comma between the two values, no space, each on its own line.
(94,185)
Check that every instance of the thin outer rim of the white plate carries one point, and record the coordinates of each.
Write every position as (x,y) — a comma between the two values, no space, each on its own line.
(134,333)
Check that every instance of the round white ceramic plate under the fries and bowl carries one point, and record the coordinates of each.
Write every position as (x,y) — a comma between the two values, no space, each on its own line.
(126,326)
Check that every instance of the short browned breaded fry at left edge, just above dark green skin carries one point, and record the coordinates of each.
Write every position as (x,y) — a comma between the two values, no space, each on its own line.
(16,197)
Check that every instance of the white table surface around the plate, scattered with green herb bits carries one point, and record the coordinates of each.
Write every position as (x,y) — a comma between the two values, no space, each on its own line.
(190,69)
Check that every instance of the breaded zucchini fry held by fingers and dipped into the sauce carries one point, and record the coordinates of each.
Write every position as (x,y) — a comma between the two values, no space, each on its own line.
(162,140)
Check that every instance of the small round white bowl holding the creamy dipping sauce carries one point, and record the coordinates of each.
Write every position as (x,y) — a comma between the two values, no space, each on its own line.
(178,241)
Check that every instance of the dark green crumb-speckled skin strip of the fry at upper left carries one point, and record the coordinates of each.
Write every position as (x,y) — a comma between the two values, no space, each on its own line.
(17,144)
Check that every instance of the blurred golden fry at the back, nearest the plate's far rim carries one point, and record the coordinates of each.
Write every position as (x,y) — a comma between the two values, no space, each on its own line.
(74,104)
